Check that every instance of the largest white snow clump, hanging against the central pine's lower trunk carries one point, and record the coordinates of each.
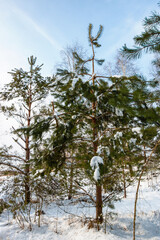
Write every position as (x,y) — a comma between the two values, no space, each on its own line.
(95,161)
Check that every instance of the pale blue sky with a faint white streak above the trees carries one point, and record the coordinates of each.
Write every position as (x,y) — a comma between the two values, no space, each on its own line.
(43,27)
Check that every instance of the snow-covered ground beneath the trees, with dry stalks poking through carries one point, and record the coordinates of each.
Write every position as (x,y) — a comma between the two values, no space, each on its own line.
(58,224)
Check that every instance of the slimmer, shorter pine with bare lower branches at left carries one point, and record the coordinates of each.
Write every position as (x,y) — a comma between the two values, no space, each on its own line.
(25,92)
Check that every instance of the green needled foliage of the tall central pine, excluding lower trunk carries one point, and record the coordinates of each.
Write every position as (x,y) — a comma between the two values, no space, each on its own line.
(121,104)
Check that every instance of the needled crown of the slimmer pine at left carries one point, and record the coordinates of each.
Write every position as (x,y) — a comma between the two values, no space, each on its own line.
(26,86)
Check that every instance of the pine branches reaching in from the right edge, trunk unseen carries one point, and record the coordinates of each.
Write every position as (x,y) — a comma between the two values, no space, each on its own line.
(149,41)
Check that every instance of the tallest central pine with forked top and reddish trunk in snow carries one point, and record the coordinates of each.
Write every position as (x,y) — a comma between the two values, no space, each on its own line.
(93,112)
